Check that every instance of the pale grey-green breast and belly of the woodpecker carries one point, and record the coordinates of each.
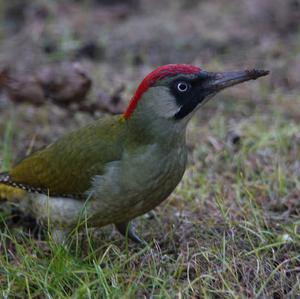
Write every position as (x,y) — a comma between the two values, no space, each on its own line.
(137,183)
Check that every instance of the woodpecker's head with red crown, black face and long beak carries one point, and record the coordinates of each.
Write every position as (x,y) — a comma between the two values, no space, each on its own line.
(171,93)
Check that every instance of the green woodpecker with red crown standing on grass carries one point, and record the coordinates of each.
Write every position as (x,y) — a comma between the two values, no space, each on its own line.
(118,167)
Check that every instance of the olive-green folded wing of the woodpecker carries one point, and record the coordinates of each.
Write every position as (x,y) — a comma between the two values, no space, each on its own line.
(68,165)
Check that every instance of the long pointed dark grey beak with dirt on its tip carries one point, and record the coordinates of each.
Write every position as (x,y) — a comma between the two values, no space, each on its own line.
(222,80)
